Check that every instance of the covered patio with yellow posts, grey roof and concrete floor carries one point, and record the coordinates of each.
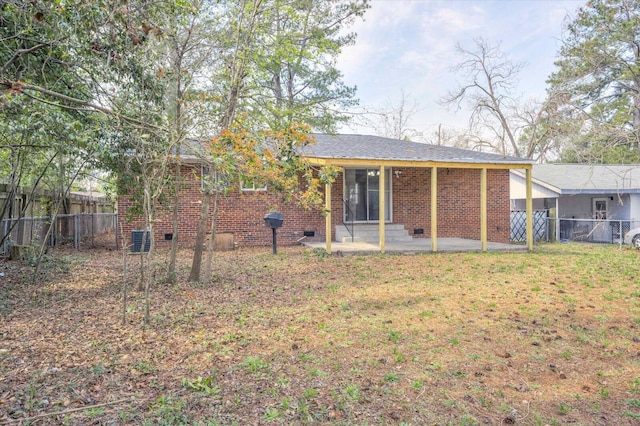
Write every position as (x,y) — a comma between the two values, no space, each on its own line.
(454,192)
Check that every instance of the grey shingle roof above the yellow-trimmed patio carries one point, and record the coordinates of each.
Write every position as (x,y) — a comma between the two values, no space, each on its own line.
(364,147)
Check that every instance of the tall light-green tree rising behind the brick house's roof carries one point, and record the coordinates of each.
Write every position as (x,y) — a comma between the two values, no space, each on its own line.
(297,48)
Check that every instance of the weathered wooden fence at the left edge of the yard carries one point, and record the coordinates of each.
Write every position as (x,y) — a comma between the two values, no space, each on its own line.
(67,228)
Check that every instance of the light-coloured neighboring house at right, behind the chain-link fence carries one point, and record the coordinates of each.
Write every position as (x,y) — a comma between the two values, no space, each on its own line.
(591,201)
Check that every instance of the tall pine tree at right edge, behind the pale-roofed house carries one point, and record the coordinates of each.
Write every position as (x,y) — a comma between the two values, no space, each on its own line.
(597,83)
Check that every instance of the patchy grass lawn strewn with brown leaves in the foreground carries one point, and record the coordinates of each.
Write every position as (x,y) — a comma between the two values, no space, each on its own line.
(543,338)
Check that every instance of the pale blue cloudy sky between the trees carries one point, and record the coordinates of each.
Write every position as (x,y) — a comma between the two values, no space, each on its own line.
(410,46)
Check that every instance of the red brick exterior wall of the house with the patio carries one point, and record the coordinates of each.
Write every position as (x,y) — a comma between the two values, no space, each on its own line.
(242,212)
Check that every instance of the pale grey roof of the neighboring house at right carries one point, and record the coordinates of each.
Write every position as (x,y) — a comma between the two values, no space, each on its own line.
(586,178)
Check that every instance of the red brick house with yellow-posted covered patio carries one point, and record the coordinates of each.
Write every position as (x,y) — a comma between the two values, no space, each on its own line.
(425,191)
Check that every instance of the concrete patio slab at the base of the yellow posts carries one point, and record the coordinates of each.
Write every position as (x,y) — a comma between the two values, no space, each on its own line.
(417,245)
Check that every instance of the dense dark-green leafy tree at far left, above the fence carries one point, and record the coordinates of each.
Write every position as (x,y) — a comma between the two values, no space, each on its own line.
(63,62)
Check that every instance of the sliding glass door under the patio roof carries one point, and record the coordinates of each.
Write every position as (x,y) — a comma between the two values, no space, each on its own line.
(362,195)
